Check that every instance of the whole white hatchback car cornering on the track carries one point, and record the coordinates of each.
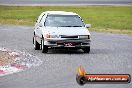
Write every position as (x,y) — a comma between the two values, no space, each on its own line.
(59,29)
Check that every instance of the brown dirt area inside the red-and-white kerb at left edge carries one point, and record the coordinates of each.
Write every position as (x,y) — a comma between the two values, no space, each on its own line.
(6,58)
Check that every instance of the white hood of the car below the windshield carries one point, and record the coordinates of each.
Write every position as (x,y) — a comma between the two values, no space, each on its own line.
(66,30)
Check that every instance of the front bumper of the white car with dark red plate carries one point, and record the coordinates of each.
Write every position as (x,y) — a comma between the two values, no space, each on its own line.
(60,43)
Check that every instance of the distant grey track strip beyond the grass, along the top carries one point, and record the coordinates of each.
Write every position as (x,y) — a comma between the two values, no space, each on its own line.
(65,2)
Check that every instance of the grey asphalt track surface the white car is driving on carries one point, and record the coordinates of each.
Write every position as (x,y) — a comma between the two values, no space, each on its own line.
(110,53)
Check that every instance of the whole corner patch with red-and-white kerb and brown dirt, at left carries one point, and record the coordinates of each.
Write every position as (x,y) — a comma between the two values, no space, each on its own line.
(12,61)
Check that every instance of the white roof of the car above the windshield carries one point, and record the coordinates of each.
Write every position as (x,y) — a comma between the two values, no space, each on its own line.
(60,13)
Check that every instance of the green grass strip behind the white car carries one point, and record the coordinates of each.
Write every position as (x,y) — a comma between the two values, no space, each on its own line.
(101,17)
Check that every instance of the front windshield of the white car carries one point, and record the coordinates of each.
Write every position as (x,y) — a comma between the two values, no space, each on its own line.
(63,21)
